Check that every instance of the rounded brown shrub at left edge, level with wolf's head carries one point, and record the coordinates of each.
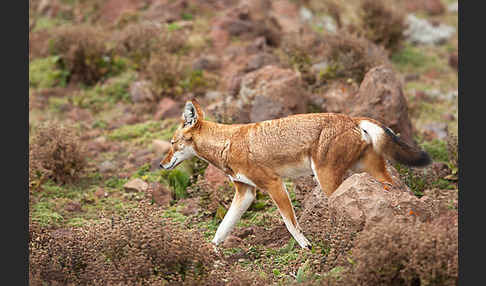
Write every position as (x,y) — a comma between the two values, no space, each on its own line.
(55,153)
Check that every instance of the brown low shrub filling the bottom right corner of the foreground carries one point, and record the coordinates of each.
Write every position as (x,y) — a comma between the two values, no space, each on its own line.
(406,253)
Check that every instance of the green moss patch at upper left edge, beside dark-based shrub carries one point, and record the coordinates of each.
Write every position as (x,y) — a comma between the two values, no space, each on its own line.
(45,73)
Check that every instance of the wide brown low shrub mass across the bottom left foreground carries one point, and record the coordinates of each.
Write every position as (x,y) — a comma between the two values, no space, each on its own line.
(142,248)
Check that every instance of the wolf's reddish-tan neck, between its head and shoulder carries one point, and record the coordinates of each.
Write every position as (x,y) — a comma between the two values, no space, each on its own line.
(213,142)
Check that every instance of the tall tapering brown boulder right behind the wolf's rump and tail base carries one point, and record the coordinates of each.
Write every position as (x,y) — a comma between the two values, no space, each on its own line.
(381,97)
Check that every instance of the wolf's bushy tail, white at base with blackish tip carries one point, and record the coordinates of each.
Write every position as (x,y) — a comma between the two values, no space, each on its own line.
(386,143)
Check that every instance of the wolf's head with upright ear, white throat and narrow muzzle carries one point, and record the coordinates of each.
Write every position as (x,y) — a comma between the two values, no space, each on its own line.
(182,145)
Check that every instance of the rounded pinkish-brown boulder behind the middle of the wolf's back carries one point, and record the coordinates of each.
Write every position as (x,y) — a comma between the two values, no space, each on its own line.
(272,92)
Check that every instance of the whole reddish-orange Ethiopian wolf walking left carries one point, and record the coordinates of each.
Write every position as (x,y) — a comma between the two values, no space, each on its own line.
(259,155)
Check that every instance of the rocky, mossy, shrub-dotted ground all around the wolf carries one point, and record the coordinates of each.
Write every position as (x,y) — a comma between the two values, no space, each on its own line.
(107,82)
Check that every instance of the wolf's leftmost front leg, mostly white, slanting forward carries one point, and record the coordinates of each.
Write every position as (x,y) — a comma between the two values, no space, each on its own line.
(243,198)
